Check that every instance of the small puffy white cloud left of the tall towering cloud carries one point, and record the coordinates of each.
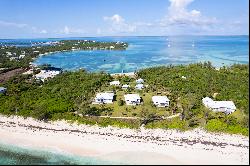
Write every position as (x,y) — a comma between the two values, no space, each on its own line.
(119,25)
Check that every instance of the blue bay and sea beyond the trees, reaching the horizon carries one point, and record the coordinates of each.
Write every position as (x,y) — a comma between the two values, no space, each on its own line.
(149,51)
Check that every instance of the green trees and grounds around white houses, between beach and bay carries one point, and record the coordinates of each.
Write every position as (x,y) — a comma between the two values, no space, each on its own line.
(69,96)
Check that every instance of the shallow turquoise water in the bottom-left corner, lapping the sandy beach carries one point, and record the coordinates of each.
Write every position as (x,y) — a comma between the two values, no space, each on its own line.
(17,155)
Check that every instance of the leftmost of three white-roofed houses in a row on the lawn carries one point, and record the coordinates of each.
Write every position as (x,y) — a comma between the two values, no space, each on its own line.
(104,98)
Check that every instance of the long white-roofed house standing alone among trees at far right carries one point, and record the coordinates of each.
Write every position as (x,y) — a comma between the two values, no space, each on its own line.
(219,106)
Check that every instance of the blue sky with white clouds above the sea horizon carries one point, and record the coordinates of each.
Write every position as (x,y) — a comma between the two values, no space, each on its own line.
(82,18)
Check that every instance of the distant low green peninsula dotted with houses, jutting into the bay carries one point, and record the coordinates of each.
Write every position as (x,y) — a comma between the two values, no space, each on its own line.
(63,45)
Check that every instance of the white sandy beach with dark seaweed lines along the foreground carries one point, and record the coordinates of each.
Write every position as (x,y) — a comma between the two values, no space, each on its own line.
(143,146)
